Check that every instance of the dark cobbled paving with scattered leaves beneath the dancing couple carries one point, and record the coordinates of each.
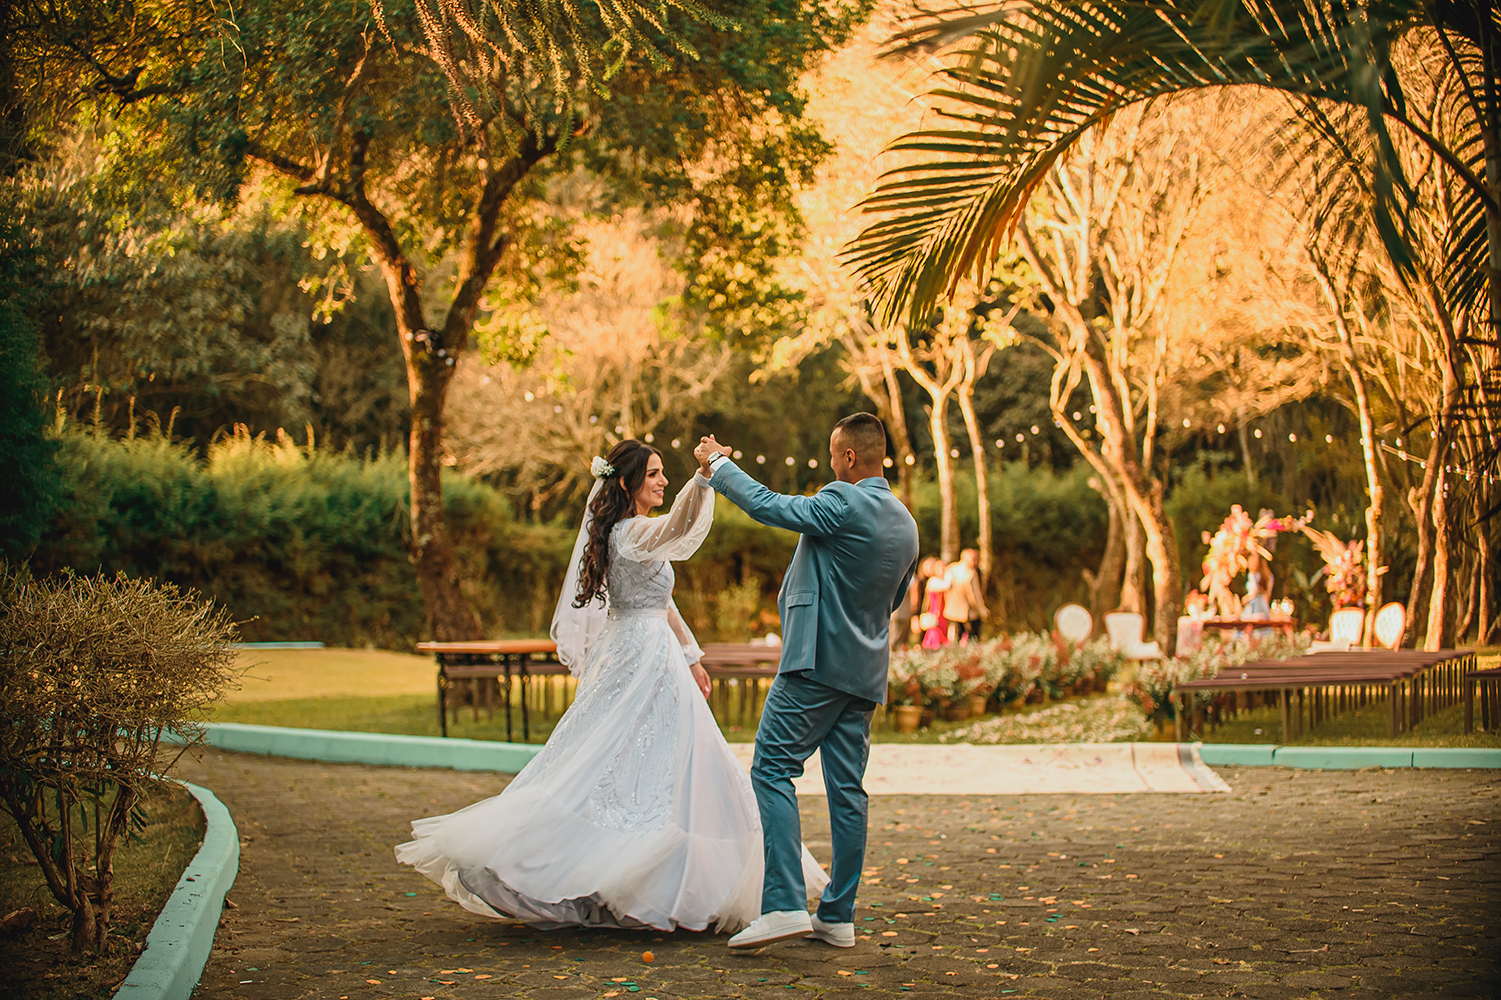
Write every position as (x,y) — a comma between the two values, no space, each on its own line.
(1295,885)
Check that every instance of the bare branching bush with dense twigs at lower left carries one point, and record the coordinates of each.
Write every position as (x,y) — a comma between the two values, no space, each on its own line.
(94,673)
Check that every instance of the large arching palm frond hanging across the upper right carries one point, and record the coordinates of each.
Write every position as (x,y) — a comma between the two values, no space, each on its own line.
(1036,77)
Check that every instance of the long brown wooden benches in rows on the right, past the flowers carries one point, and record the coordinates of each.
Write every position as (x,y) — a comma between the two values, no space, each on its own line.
(1415,684)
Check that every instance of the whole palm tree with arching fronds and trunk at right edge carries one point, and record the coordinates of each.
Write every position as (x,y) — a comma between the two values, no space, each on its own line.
(1035,80)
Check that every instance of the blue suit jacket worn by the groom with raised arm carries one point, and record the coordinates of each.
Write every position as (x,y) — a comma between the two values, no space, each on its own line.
(850,573)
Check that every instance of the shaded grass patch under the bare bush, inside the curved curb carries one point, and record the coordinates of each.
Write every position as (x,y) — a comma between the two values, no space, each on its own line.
(148,864)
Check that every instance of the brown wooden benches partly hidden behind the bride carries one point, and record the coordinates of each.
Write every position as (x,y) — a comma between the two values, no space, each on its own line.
(486,669)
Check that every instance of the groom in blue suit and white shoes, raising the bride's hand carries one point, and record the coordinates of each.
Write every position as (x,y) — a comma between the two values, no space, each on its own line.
(850,573)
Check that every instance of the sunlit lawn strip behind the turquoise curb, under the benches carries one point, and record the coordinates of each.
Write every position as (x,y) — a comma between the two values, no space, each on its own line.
(374,691)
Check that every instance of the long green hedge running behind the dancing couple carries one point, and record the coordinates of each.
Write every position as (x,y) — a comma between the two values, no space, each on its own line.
(313,546)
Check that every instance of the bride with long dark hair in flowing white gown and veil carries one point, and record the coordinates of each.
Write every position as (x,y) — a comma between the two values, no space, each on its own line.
(636,813)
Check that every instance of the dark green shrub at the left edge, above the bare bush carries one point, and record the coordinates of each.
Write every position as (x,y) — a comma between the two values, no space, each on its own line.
(26,451)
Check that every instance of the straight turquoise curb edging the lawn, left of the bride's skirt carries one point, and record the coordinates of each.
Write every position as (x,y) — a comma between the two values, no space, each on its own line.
(371,748)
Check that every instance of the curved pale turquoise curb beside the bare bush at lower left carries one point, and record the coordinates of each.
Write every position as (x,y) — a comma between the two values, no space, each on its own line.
(181,941)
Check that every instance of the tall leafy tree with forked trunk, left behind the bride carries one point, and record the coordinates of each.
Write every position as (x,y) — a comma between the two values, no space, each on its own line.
(430,137)
